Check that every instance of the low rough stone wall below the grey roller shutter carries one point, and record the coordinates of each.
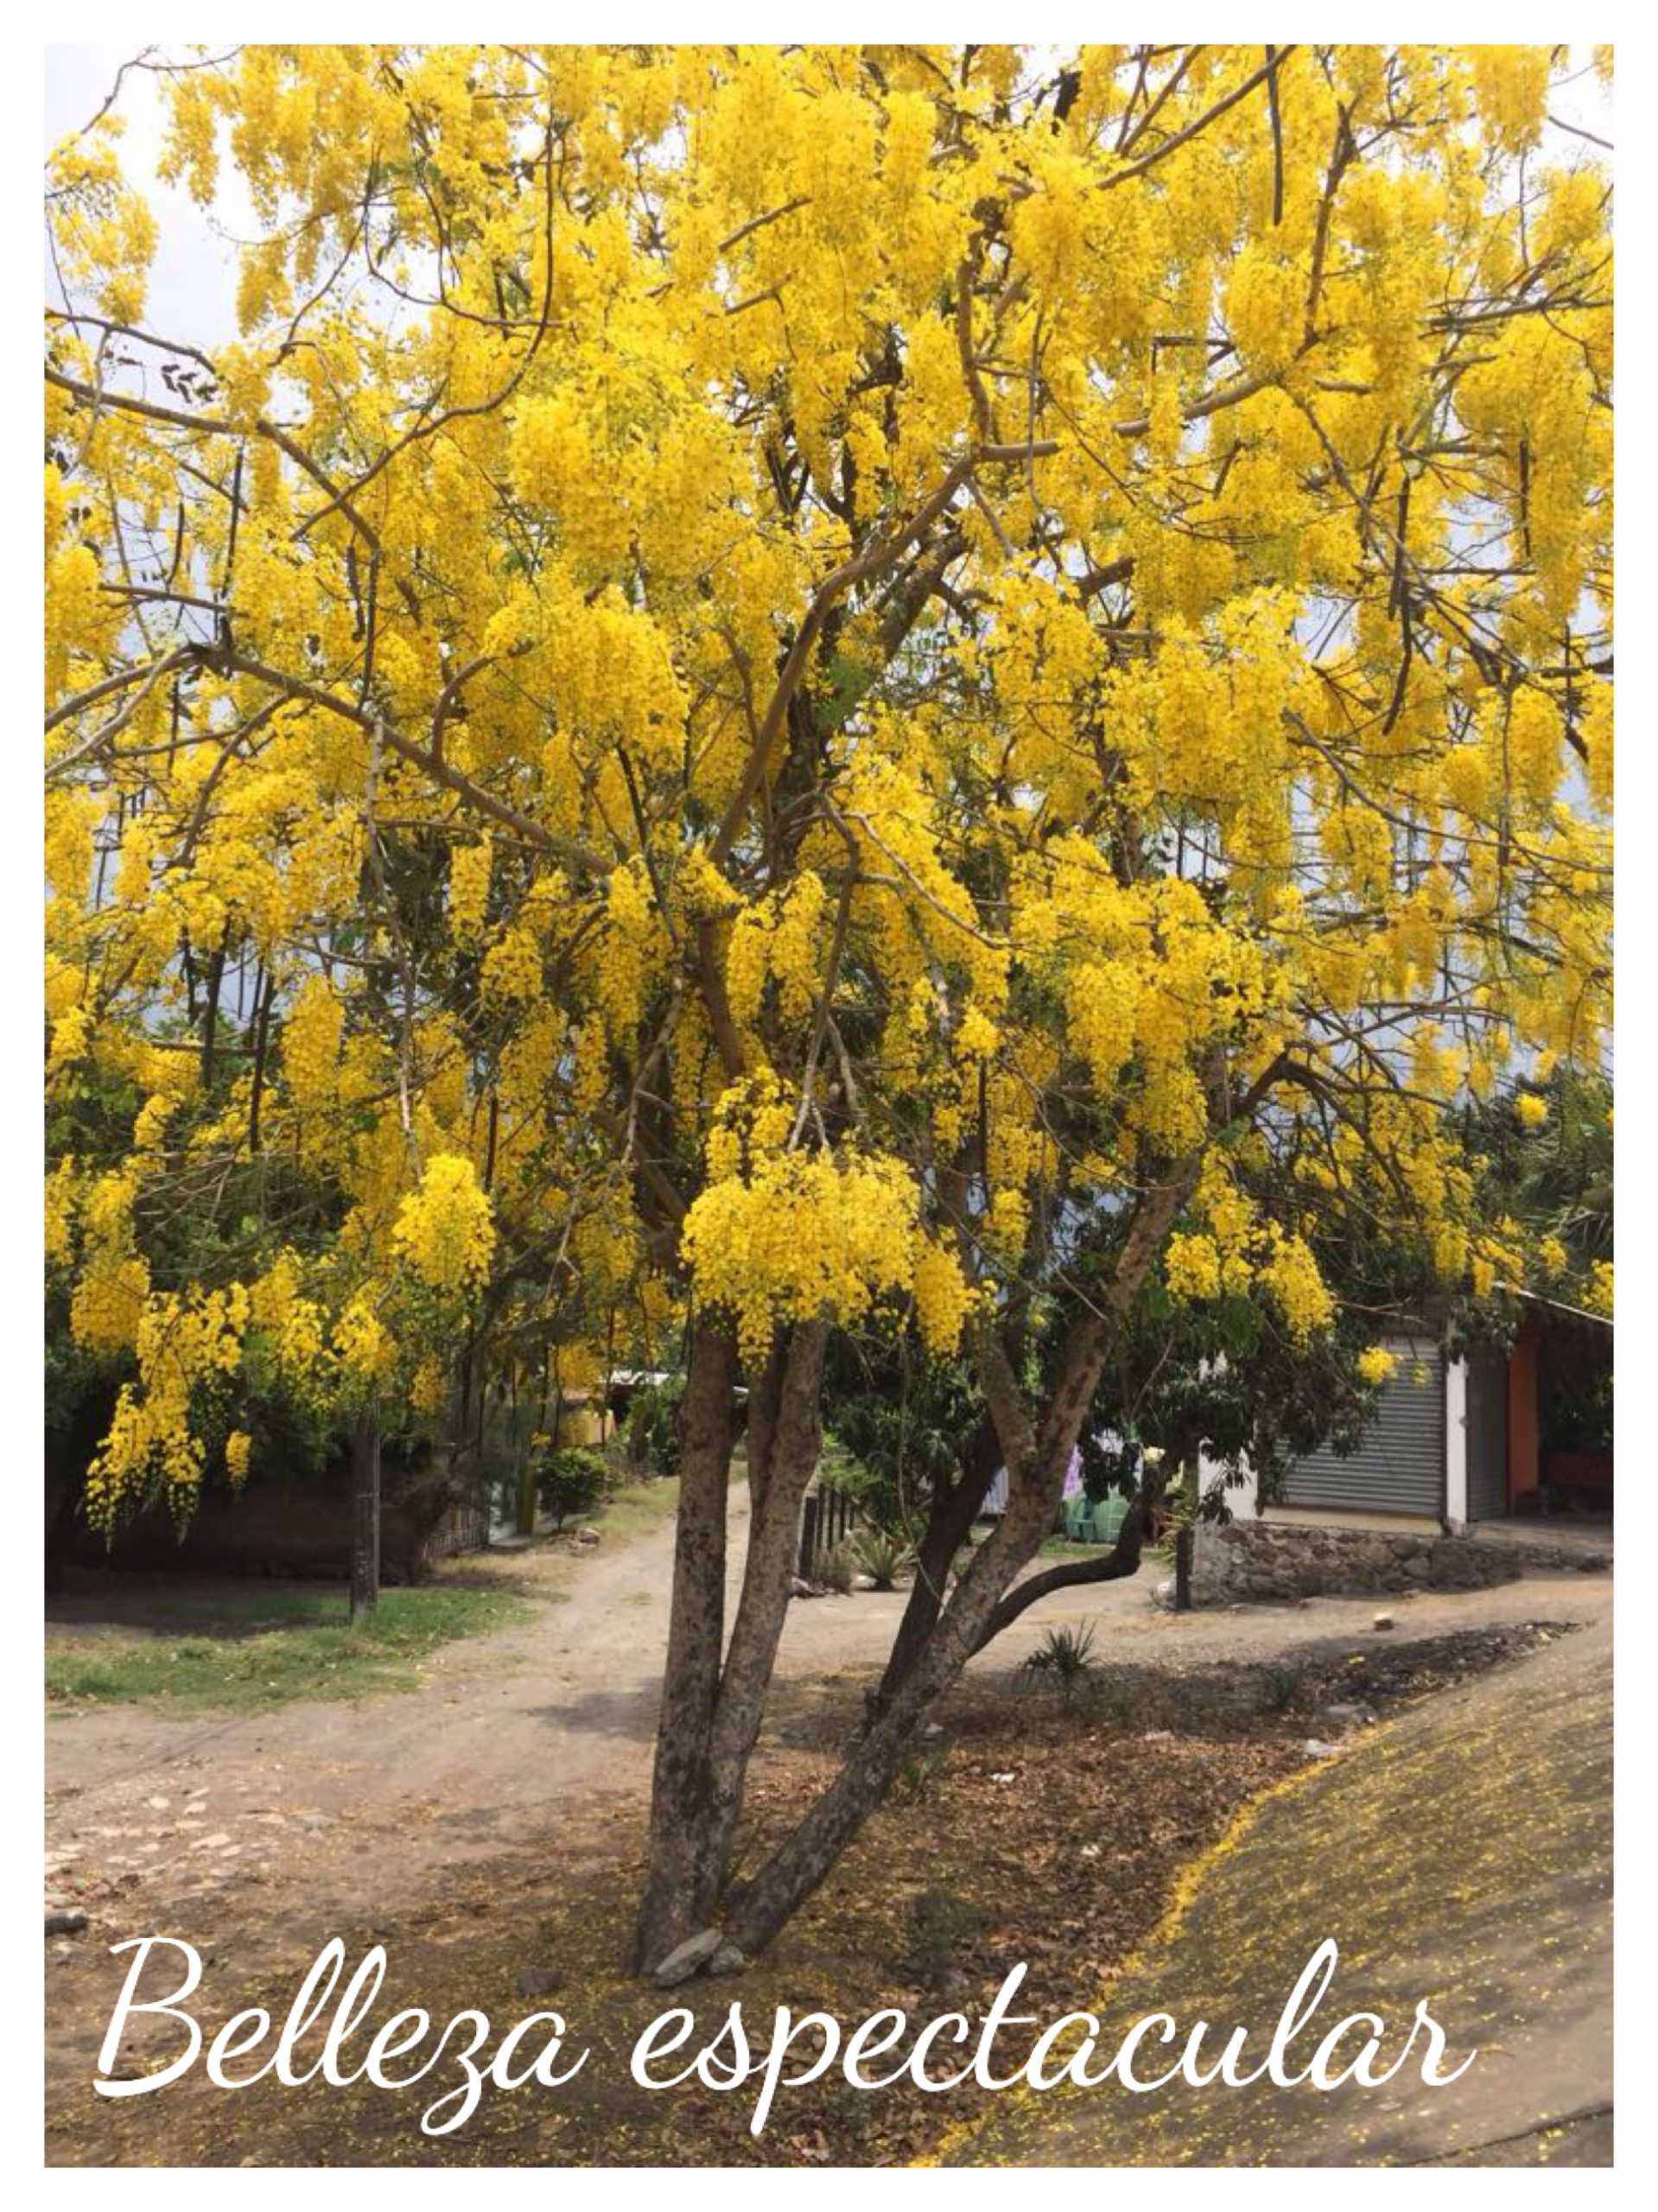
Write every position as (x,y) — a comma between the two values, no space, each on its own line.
(1248,1561)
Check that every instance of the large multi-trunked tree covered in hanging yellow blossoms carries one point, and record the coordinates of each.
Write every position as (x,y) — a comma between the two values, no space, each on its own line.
(812,689)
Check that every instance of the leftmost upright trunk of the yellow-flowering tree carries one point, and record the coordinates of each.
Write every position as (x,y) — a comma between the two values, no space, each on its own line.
(682,1870)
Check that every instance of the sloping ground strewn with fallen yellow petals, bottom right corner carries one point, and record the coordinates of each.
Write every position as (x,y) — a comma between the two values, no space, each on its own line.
(1460,1855)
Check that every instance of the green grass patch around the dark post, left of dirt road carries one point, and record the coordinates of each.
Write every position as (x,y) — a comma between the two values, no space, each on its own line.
(242,1651)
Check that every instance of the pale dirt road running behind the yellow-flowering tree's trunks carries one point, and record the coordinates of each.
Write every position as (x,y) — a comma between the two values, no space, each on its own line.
(518,1733)
